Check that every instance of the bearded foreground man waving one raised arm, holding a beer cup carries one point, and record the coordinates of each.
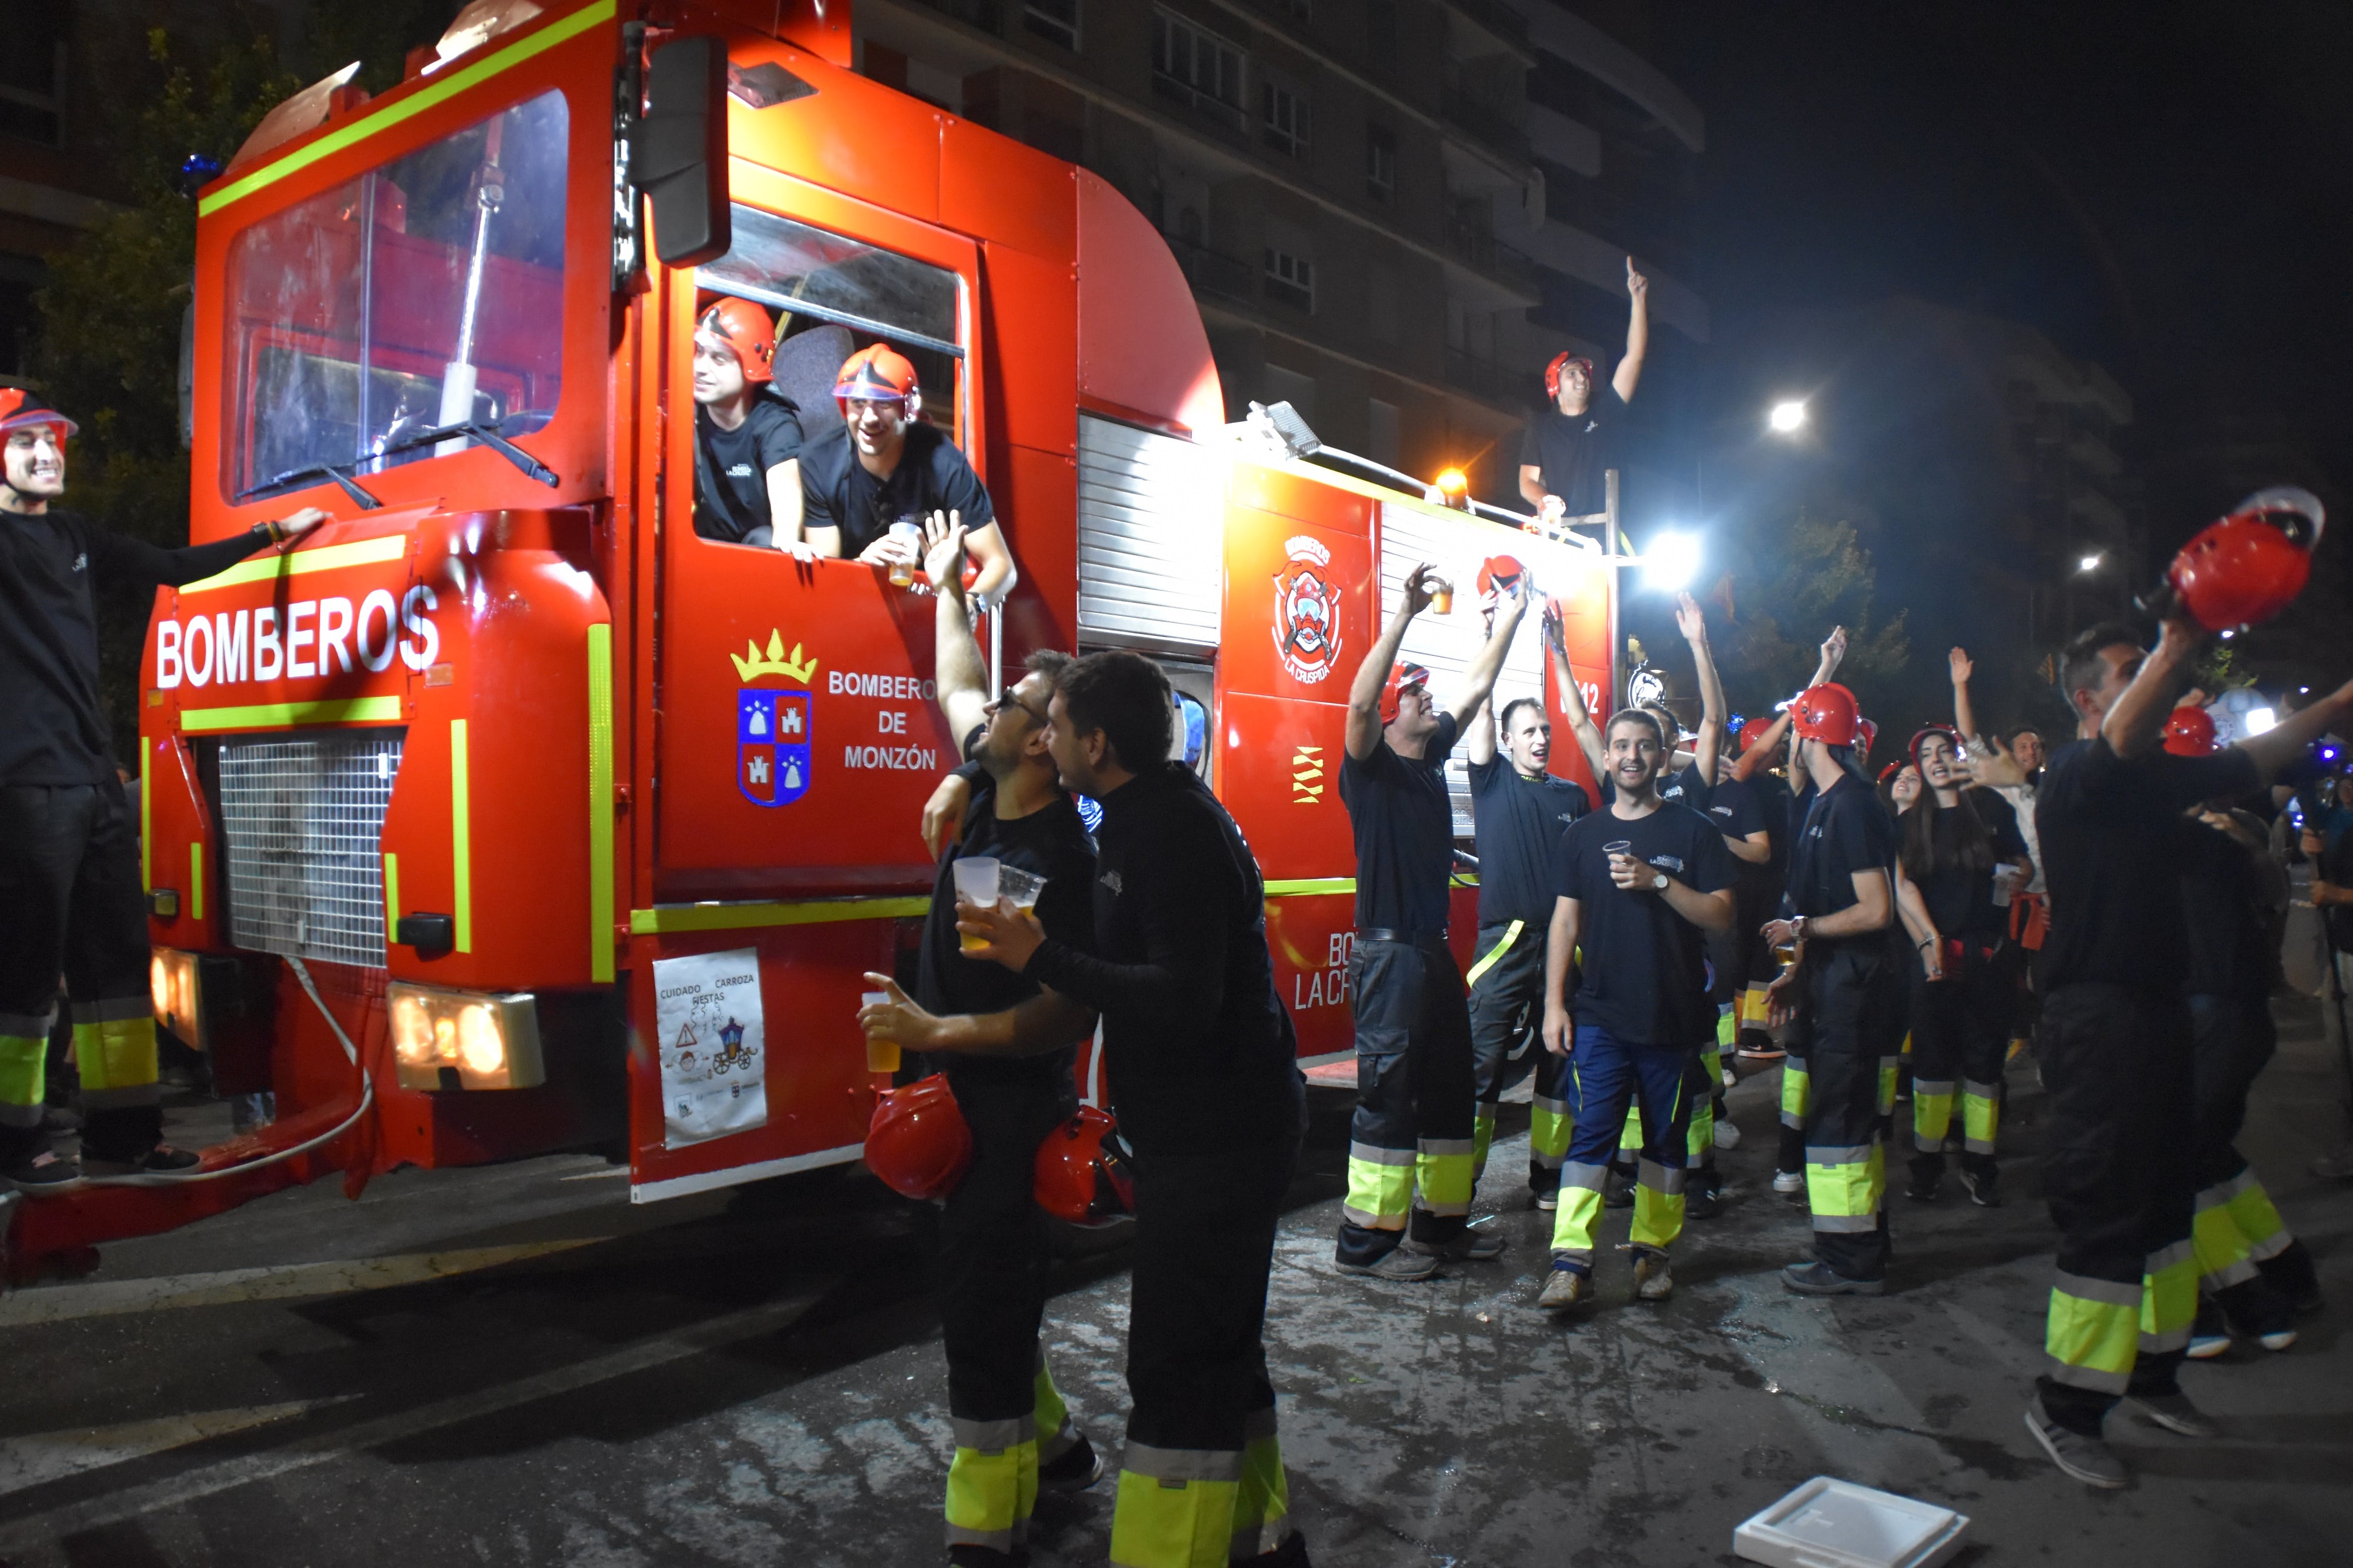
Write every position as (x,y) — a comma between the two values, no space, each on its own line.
(1018,835)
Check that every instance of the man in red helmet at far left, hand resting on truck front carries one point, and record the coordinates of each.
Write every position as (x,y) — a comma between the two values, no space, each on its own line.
(69,865)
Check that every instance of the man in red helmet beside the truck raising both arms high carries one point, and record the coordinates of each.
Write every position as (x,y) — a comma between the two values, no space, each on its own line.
(1413,1030)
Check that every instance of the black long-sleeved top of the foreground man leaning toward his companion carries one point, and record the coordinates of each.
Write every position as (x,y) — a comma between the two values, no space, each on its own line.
(1199,1047)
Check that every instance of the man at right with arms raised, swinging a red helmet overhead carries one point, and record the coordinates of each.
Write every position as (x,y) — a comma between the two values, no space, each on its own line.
(2117,1037)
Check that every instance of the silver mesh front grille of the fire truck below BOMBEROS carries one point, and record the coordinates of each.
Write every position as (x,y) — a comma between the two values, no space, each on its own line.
(305,818)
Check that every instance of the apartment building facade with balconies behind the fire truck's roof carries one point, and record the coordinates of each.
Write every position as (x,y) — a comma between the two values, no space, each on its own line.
(1392,213)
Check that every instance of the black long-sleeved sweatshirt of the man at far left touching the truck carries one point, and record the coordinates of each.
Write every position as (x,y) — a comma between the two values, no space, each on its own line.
(55,731)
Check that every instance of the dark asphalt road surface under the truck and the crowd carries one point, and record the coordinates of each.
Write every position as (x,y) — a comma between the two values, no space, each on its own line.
(516,1367)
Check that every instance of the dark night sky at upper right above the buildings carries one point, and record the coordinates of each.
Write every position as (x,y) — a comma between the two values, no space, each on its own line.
(2161,187)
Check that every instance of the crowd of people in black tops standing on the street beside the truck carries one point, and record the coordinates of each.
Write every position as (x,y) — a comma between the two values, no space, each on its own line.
(1891,936)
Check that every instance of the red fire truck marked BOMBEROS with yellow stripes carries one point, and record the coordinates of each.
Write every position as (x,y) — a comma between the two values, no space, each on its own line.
(509,813)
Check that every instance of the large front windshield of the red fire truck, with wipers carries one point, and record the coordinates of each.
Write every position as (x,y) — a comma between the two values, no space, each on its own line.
(420,295)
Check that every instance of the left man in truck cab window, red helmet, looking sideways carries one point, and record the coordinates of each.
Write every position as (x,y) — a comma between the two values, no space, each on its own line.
(747,434)
